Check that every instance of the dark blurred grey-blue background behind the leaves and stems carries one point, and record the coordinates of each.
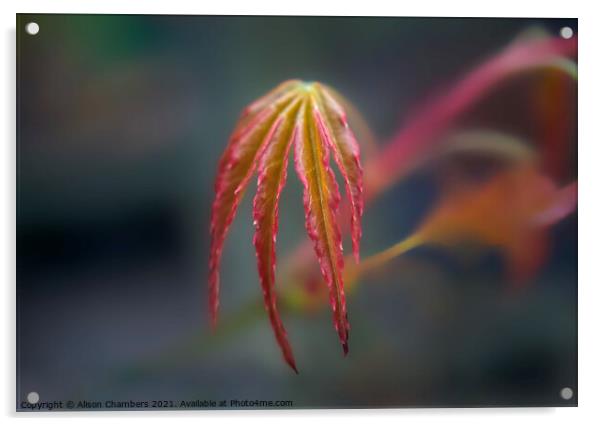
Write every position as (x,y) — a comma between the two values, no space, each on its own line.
(121,123)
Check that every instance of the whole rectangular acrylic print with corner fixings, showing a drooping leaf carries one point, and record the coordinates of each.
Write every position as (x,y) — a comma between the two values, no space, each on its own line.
(441,153)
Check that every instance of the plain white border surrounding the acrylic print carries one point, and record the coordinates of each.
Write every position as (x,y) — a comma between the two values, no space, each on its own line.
(590,157)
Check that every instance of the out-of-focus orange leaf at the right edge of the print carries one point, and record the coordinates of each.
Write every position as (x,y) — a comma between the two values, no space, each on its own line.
(510,212)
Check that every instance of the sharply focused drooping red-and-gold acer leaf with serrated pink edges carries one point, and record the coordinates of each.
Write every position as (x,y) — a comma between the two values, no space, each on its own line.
(310,117)
